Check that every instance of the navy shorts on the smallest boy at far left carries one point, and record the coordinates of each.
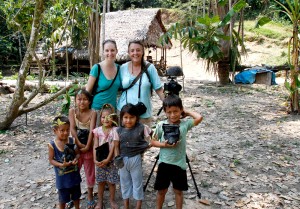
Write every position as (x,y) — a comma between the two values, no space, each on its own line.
(67,194)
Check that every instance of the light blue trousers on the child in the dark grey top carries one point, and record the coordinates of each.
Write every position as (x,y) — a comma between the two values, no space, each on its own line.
(131,178)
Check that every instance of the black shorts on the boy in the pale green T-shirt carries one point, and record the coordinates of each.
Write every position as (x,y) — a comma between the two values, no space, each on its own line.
(168,173)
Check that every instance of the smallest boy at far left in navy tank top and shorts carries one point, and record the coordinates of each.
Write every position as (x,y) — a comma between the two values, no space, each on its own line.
(63,155)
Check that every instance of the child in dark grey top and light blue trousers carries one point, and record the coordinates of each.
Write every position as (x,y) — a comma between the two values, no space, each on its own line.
(130,144)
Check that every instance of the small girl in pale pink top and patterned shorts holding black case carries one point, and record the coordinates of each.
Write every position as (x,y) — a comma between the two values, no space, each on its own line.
(106,171)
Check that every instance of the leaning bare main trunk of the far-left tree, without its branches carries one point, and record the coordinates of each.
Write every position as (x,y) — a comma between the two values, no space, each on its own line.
(12,111)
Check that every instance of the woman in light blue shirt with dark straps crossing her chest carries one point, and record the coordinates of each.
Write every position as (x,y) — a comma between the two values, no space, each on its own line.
(138,79)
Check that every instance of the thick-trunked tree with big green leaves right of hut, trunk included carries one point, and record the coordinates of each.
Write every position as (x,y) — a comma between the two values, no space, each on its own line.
(212,38)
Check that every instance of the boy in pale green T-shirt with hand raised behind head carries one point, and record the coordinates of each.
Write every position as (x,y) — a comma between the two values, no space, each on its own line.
(172,156)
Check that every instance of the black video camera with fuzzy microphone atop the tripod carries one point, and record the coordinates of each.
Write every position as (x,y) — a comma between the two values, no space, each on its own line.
(172,86)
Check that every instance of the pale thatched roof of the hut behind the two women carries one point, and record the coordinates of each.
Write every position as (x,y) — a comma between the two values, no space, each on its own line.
(138,24)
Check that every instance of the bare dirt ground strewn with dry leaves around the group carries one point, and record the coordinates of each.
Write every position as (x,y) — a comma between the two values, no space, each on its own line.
(245,153)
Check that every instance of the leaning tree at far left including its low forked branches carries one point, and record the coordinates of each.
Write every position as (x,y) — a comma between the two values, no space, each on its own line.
(19,103)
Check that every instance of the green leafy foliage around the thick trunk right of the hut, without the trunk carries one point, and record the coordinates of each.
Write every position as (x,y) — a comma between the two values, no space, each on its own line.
(206,36)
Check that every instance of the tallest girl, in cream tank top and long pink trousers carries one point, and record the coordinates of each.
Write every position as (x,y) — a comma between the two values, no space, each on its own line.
(82,120)
